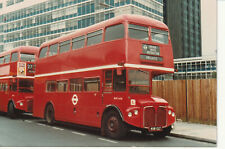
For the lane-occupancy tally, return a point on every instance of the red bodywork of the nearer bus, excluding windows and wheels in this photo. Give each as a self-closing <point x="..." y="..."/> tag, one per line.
<point x="93" y="61"/>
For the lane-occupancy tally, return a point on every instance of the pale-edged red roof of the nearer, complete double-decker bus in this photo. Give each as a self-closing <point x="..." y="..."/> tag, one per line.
<point x="144" y="20"/>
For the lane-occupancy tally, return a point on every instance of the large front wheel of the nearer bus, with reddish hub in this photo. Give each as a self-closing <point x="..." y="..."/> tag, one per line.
<point x="114" y="127"/>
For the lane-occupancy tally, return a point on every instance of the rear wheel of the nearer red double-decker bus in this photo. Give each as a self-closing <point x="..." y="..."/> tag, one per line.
<point x="50" y="114"/>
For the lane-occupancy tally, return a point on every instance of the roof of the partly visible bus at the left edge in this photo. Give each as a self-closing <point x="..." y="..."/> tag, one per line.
<point x="26" y="49"/>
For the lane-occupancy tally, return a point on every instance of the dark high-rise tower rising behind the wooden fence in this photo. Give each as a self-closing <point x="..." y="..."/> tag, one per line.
<point x="183" y="18"/>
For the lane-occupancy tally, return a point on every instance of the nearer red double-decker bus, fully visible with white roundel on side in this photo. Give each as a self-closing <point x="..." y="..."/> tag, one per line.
<point x="101" y="76"/>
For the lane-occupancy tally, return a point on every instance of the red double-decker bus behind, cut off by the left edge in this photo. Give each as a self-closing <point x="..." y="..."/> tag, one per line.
<point x="17" y="70"/>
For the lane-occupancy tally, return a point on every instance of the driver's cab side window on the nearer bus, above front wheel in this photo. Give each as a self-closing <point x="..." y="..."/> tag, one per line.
<point x="119" y="81"/>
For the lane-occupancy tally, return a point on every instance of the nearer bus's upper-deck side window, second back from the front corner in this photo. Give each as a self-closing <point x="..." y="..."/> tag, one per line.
<point x="94" y="37"/>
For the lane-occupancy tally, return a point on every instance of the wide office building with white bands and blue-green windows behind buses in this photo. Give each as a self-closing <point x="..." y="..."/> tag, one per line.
<point x="47" y="19"/>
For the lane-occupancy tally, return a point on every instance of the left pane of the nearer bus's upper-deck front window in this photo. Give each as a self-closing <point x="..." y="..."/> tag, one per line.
<point x="138" y="32"/>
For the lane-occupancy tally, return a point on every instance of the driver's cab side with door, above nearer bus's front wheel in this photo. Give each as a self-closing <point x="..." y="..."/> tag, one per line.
<point x="114" y="87"/>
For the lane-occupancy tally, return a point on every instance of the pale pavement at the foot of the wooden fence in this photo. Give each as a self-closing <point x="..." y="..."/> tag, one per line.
<point x="194" y="131"/>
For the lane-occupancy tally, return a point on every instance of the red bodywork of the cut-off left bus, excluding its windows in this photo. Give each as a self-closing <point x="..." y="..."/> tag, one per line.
<point x="13" y="73"/>
